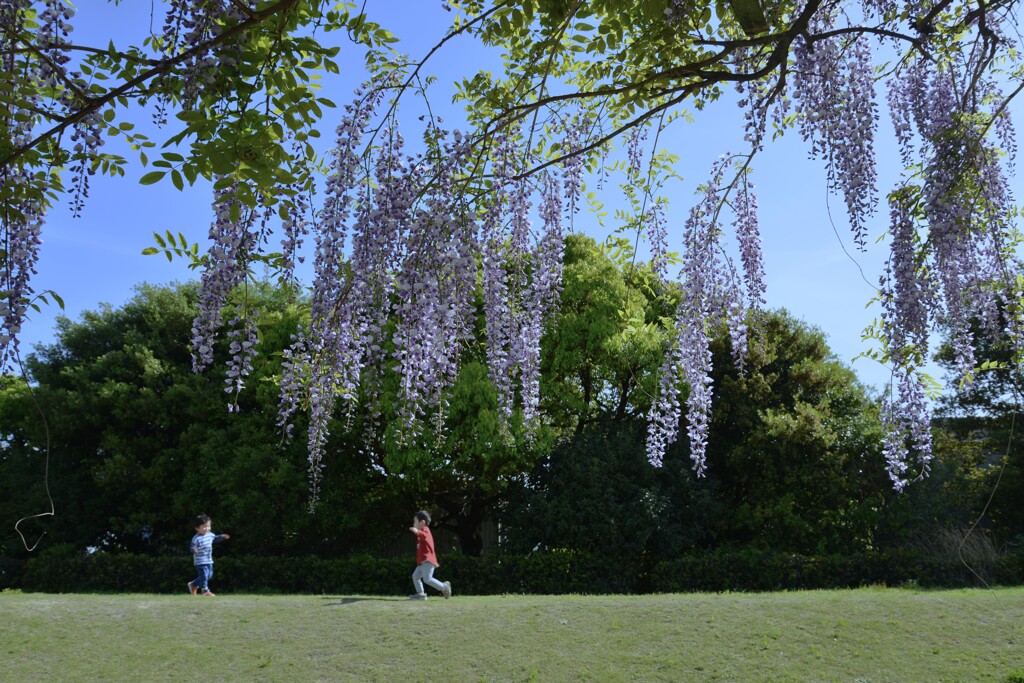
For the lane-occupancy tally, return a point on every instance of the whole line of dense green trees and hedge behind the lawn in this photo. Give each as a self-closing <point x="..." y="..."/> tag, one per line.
<point x="132" y="445"/>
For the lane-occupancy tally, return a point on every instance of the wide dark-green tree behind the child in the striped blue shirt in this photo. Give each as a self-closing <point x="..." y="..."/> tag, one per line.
<point x="139" y="444"/>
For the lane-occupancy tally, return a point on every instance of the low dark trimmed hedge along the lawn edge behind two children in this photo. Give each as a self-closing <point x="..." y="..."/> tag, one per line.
<point x="539" y="573"/>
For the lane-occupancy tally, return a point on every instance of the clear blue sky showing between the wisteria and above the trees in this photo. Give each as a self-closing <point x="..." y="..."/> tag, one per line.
<point x="813" y="269"/>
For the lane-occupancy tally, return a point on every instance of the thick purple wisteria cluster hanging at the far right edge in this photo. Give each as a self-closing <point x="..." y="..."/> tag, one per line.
<point x="951" y="227"/>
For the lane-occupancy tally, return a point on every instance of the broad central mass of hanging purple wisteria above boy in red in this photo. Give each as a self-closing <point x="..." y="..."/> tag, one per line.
<point x="398" y="248"/>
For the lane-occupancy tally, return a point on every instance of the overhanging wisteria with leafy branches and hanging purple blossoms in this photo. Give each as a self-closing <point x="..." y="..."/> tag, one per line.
<point x="578" y="75"/>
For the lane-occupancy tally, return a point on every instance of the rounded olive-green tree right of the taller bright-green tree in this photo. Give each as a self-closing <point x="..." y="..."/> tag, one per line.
<point x="798" y="445"/>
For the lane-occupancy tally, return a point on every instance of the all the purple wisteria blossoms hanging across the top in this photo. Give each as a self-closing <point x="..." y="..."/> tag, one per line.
<point x="402" y="239"/>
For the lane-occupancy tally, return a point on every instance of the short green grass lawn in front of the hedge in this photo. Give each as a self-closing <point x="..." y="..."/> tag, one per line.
<point x="865" y="635"/>
